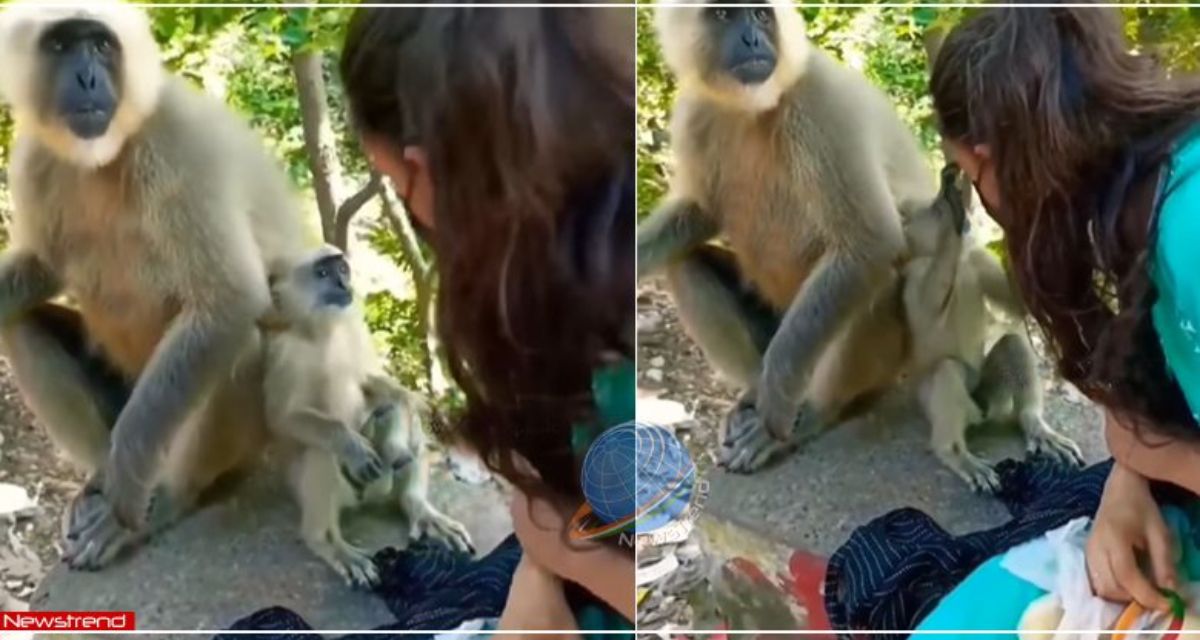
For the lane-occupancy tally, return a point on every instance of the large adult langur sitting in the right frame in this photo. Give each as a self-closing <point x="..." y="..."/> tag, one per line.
<point x="805" y="169"/>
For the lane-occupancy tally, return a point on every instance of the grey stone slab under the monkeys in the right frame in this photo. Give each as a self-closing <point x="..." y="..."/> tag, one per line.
<point x="817" y="498"/>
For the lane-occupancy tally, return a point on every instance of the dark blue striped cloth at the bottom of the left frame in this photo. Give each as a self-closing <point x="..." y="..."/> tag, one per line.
<point x="427" y="587"/>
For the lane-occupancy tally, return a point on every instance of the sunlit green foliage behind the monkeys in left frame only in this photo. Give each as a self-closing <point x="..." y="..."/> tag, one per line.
<point x="248" y="57"/>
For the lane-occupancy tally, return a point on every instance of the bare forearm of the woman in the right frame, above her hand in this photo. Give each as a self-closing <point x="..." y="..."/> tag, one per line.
<point x="1155" y="457"/>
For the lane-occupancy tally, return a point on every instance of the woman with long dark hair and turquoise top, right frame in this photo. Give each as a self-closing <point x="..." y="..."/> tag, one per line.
<point x="1088" y="155"/>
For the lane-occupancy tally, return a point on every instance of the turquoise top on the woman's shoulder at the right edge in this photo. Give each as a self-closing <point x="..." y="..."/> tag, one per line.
<point x="1177" y="270"/>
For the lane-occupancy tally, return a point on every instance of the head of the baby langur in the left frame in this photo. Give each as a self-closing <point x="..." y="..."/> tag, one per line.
<point x="315" y="290"/>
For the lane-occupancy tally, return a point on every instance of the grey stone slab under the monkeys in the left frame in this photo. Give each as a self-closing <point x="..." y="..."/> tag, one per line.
<point x="244" y="554"/>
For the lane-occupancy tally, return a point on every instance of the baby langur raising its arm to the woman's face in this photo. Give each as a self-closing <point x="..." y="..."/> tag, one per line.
<point x="946" y="284"/>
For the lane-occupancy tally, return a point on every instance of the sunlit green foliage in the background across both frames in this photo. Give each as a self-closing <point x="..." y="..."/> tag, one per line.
<point x="250" y="57"/>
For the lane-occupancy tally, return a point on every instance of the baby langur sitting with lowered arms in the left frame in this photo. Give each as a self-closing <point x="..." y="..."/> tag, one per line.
<point x="353" y="435"/>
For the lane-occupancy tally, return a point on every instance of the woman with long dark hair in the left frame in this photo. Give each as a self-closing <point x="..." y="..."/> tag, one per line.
<point x="509" y="135"/>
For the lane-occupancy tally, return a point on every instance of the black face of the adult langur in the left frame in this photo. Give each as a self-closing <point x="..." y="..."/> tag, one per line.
<point x="82" y="59"/>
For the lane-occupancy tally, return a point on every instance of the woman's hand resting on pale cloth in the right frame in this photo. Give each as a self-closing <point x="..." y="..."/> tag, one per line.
<point x="1129" y="523"/>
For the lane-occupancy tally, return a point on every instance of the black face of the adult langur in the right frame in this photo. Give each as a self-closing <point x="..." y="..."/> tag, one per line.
<point x="745" y="41"/>
